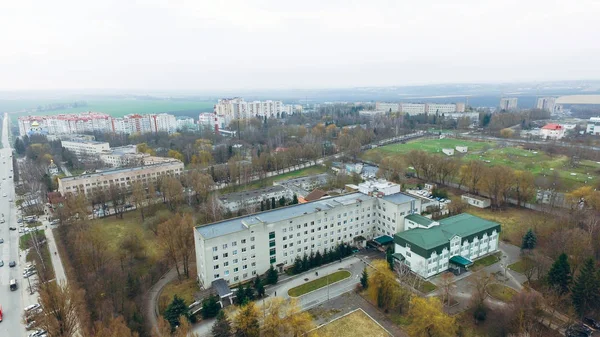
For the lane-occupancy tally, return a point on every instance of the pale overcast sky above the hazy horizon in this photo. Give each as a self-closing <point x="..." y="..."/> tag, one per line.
<point x="226" y="45"/>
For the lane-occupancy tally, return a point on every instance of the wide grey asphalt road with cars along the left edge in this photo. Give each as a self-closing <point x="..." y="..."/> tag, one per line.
<point x="11" y="301"/>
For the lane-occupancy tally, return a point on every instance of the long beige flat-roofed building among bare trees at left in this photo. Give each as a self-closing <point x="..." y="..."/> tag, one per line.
<point x="89" y="183"/>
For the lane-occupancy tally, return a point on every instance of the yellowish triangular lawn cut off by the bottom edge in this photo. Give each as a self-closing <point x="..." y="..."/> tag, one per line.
<point x="355" y="324"/>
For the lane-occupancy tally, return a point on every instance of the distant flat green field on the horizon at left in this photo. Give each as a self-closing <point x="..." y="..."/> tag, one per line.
<point x="115" y="107"/>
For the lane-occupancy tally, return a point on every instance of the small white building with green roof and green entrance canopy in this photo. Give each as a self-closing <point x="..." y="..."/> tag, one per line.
<point x="432" y="247"/>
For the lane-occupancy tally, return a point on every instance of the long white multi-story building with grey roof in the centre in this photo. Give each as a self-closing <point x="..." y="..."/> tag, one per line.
<point x="236" y="250"/>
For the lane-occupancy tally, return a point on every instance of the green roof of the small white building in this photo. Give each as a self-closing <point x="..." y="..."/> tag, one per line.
<point x="425" y="241"/>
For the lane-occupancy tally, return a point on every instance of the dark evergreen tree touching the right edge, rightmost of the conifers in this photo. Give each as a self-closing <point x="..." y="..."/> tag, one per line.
<point x="585" y="294"/>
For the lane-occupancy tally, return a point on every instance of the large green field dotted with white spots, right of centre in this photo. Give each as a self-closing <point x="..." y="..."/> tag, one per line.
<point x="536" y="162"/>
